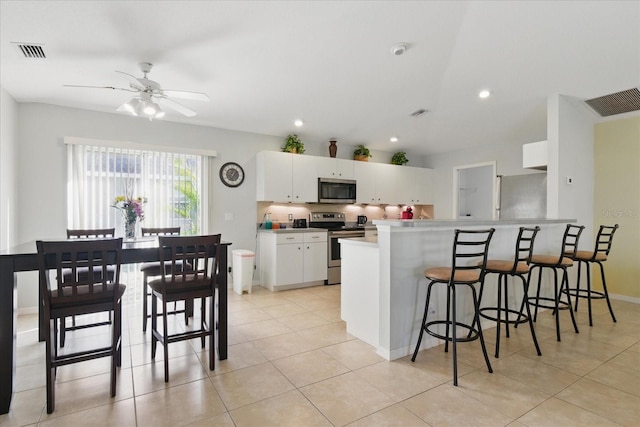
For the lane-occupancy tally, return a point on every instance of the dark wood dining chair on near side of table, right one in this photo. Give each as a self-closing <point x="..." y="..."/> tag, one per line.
<point x="182" y="285"/>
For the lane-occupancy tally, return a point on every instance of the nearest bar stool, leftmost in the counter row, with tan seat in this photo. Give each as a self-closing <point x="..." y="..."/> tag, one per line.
<point x="467" y="246"/>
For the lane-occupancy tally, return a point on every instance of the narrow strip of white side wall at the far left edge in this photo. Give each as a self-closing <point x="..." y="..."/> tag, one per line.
<point x="8" y="144"/>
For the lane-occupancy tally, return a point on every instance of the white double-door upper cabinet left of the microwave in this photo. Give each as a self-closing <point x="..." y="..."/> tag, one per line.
<point x="285" y="177"/>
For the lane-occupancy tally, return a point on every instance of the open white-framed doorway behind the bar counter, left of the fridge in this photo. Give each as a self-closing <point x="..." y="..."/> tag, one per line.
<point x="474" y="191"/>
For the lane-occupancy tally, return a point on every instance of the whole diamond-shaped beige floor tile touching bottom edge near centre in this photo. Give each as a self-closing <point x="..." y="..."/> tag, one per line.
<point x="346" y="398"/>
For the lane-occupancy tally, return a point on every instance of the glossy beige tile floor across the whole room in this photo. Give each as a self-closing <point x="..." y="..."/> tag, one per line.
<point x="291" y="362"/>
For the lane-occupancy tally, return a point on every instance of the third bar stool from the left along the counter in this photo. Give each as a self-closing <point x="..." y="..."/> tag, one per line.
<point x="562" y="262"/>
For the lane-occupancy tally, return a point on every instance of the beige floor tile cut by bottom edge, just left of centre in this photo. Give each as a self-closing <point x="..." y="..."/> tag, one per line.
<point x="288" y="409"/>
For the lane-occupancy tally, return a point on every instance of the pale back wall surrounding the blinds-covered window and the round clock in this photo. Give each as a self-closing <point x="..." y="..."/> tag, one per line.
<point x="41" y="170"/>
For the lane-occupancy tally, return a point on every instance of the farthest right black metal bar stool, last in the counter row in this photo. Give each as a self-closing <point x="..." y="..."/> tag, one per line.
<point x="597" y="256"/>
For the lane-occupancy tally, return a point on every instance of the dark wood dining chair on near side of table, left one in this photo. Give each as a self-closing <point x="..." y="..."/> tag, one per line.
<point x="80" y="295"/>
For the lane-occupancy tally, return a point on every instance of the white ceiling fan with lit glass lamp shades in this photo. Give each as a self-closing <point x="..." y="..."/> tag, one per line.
<point x="150" y="95"/>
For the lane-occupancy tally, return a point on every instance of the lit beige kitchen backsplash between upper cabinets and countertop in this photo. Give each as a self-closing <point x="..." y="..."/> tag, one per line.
<point x="280" y="211"/>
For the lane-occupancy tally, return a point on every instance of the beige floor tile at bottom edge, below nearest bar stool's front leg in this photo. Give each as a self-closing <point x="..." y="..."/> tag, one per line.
<point x="447" y="405"/>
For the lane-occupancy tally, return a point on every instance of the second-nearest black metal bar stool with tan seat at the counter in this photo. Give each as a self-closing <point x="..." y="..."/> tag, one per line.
<point x="518" y="267"/>
